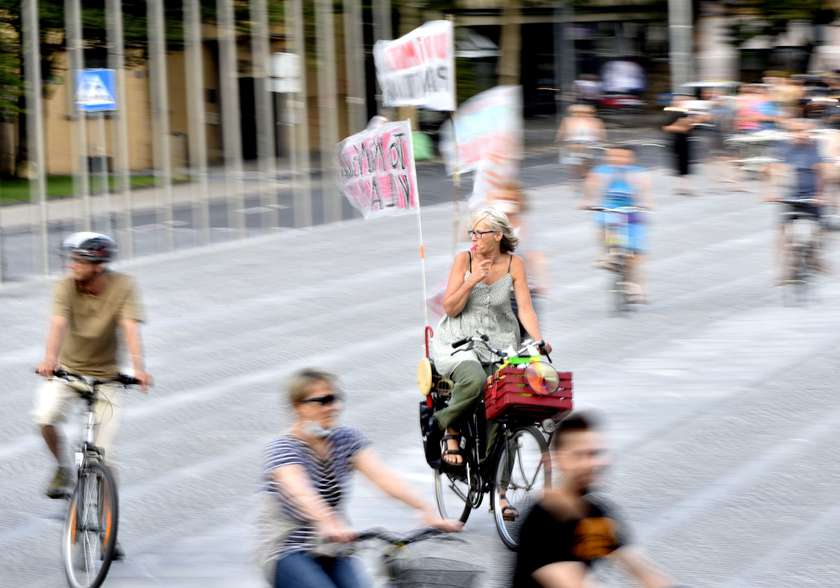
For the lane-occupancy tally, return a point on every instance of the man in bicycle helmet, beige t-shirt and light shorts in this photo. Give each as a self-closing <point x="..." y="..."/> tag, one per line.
<point x="90" y="305"/>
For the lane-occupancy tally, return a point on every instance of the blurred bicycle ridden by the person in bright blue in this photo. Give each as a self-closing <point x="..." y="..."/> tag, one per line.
<point x="619" y="255"/>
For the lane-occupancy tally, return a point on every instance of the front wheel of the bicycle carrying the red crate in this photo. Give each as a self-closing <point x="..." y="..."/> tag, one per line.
<point x="523" y="472"/>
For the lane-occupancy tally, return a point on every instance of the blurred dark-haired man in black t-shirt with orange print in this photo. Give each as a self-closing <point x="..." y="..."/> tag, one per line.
<point x="569" y="530"/>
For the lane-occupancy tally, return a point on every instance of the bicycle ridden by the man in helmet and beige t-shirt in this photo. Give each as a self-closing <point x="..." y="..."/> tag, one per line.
<point x="90" y="528"/>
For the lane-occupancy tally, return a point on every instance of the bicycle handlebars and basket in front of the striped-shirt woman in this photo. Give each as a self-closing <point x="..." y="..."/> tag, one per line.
<point x="397" y="568"/>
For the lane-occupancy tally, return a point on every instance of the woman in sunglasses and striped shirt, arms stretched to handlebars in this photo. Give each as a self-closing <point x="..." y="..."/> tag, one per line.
<point x="306" y="478"/>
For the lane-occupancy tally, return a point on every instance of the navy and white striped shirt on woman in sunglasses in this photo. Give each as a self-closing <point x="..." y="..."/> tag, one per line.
<point x="330" y="477"/>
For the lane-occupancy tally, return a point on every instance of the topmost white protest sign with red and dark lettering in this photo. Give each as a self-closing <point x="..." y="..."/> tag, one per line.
<point x="418" y="69"/>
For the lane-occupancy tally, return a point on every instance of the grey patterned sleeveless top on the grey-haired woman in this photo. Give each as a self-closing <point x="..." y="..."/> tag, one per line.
<point x="488" y="310"/>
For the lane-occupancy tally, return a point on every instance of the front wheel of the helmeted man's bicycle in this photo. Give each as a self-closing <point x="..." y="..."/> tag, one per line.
<point x="90" y="530"/>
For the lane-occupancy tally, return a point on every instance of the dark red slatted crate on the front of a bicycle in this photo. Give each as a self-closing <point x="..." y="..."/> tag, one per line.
<point x="508" y="394"/>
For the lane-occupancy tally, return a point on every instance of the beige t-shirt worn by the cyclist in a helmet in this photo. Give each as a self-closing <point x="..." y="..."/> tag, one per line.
<point x="90" y="344"/>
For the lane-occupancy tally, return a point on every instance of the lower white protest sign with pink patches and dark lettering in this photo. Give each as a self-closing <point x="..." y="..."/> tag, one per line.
<point x="376" y="169"/>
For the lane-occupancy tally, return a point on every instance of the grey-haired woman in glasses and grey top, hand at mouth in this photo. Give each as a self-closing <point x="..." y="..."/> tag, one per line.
<point x="478" y="299"/>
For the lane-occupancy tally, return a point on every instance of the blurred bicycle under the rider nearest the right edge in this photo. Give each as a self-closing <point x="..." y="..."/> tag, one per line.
<point x="802" y="229"/>
